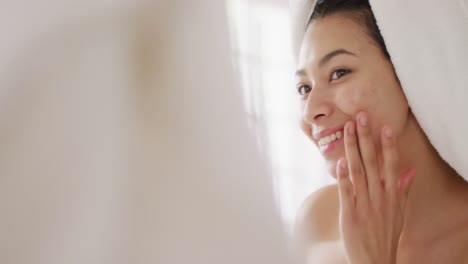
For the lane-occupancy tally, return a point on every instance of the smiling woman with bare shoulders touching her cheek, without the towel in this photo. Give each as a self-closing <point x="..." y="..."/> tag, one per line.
<point x="396" y="200"/>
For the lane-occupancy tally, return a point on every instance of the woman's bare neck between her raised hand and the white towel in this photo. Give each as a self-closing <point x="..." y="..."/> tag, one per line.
<point x="437" y="190"/>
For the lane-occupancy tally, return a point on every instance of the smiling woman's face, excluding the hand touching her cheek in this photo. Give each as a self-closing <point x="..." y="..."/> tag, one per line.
<point x="341" y="72"/>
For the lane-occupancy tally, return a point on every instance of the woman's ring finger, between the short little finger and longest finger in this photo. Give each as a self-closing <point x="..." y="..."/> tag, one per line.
<point x="356" y="168"/>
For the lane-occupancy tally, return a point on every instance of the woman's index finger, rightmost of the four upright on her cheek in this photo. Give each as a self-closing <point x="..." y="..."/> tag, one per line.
<point x="391" y="162"/>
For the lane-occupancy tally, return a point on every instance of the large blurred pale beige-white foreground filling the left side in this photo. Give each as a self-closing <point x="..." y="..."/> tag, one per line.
<point x="111" y="151"/>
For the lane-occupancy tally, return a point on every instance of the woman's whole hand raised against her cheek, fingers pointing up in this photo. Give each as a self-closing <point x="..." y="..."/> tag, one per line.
<point x="371" y="207"/>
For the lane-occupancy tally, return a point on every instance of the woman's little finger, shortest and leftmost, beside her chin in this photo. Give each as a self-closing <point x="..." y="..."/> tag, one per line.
<point x="345" y="187"/>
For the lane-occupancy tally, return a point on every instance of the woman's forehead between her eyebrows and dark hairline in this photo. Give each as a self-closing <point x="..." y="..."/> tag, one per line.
<point x="331" y="33"/>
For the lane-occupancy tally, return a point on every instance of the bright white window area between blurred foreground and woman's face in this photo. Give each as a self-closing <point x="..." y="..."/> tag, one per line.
<point x="261" y="41"/>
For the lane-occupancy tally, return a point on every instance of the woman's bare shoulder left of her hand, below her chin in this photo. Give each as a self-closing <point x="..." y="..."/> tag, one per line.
<point x="317" y="219"/>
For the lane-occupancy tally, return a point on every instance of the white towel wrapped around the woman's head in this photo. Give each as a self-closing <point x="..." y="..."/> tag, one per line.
<point x="428" y="43"/>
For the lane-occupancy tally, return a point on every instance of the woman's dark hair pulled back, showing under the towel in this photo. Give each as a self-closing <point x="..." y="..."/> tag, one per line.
<point x="358" y="10"/>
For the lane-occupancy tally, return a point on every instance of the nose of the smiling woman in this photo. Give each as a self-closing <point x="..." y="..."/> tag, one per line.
<point x="318" y="106"/>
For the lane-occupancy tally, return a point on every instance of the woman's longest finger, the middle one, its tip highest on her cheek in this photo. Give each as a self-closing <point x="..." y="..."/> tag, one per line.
<point x="369" y="157"/>
